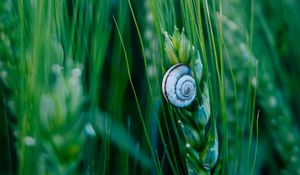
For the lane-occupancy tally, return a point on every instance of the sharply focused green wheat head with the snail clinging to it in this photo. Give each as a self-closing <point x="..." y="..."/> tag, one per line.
<point x="200" y="138"/>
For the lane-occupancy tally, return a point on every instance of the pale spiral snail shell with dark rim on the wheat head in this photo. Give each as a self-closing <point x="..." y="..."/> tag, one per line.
<point x="179" y="87"/>
